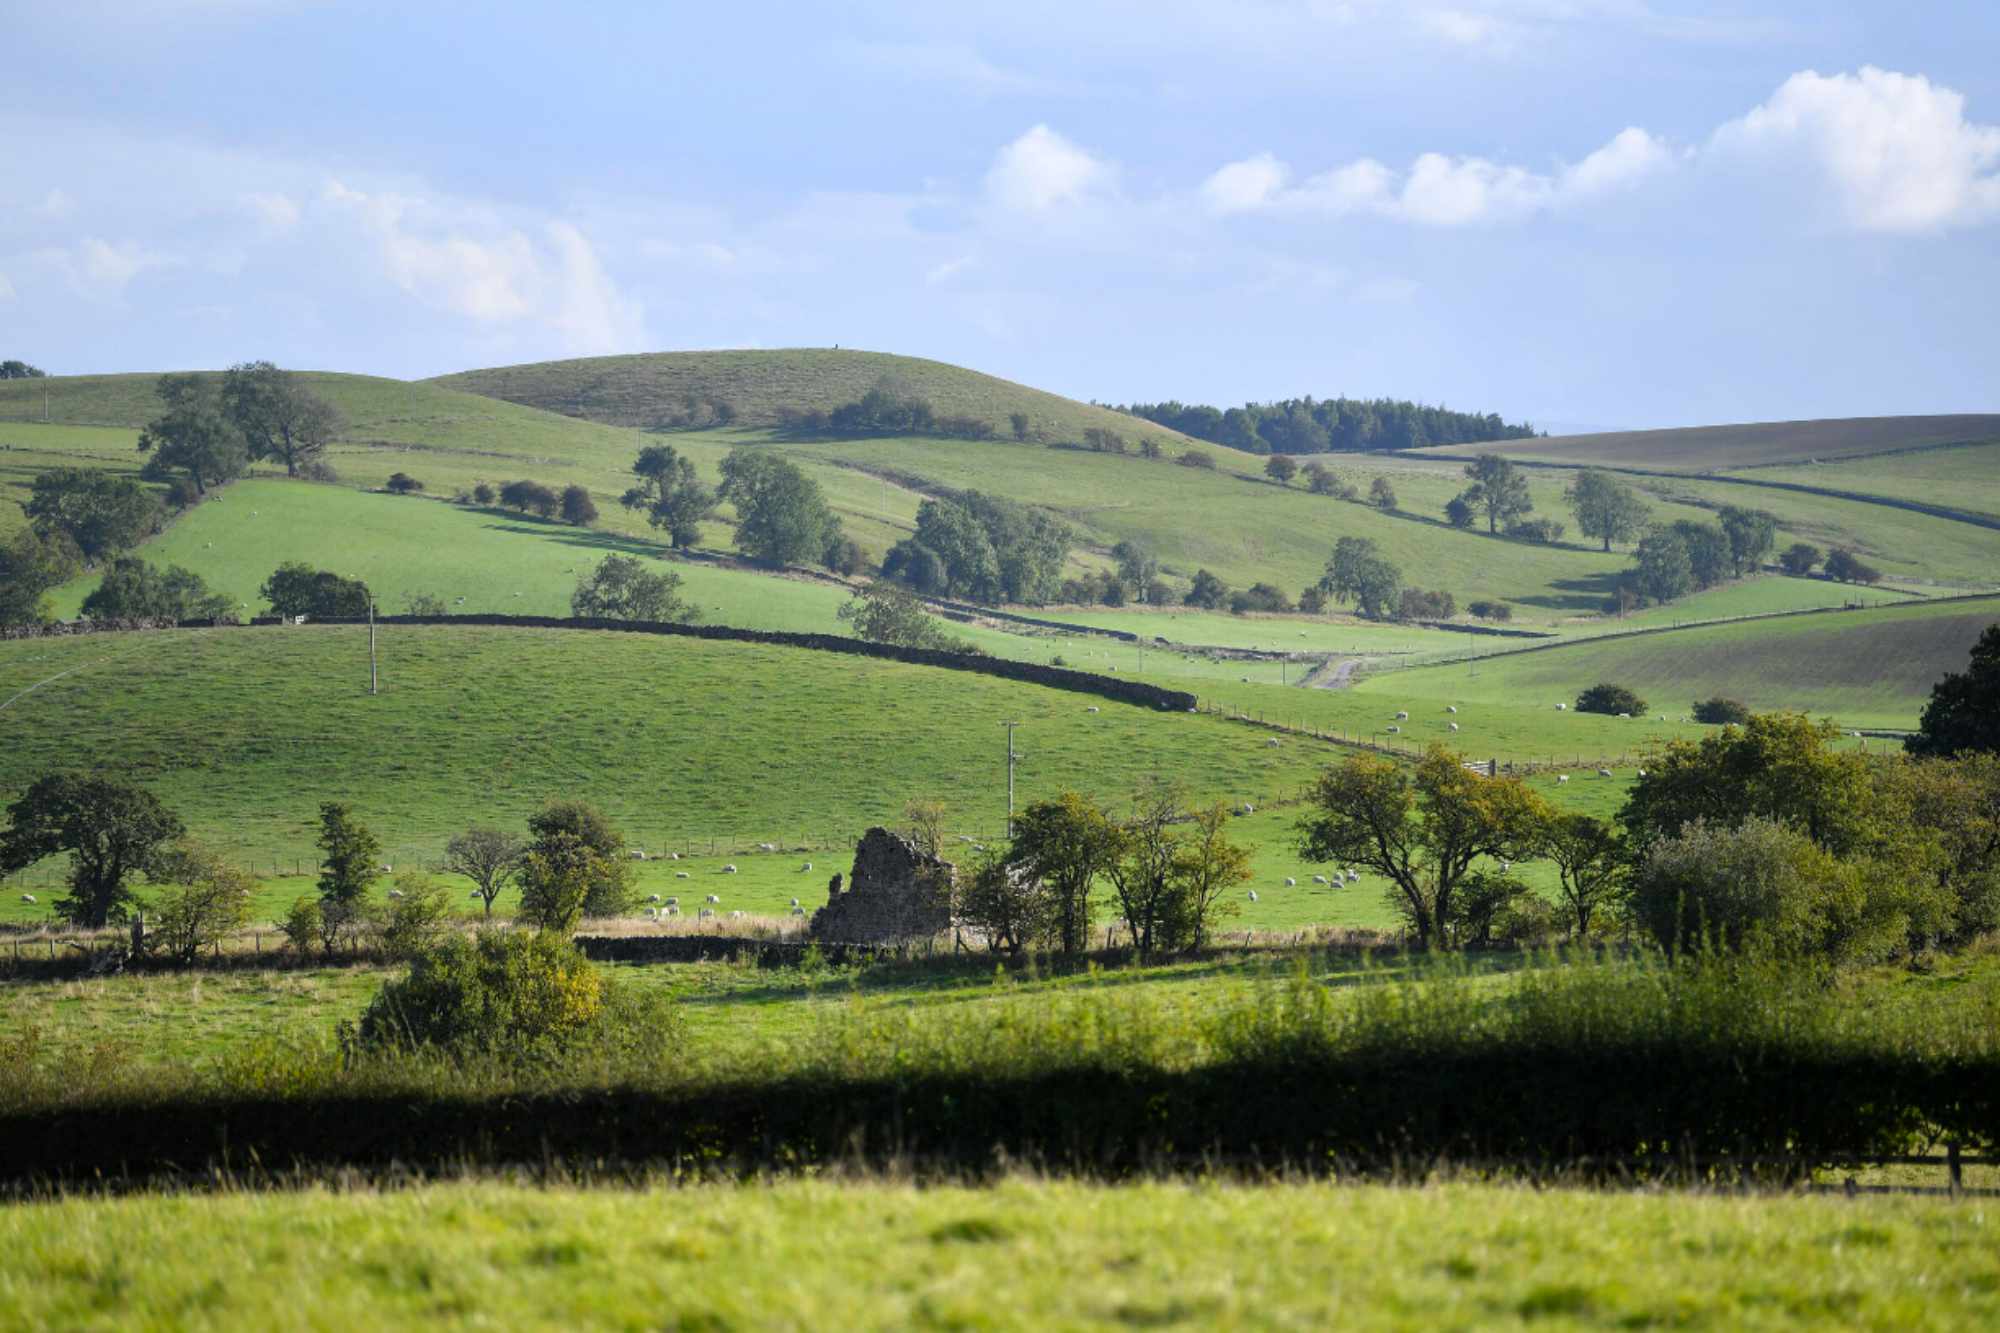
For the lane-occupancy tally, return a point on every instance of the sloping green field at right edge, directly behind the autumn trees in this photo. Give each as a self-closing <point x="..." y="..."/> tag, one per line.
<point x="1861" y="668"/>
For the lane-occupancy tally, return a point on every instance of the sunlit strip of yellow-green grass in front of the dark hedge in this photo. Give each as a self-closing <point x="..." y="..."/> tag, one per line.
<point x="1019" y="1256"/>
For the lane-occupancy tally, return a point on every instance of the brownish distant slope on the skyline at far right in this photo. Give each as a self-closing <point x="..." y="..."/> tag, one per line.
<point x="1717" y="449"/>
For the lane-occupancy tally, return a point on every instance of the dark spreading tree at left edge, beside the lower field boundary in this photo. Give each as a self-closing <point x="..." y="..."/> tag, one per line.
<point x="111" y="832"/>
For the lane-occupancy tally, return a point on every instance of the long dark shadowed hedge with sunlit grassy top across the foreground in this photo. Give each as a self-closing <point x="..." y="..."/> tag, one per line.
<point x="1629" y="1066"/>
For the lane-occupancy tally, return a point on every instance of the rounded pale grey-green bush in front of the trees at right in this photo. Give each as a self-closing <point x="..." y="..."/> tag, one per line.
<point x="1763" y="886"/>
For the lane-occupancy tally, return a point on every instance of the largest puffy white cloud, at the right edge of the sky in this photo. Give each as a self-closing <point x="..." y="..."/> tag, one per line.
<point x="1895" y="151"/>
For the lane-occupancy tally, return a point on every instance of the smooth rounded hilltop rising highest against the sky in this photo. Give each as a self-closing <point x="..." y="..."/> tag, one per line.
<point x="651" y="389"/>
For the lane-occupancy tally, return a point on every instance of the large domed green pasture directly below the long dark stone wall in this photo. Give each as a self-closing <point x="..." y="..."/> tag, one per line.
<point x="247" y="732"/>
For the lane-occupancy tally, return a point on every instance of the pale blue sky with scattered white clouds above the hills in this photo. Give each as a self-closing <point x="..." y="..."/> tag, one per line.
<point x="1587" y="213"/>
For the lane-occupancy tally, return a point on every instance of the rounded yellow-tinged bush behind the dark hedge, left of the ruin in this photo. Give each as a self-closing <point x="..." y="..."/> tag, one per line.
<point x="519" y="996"/>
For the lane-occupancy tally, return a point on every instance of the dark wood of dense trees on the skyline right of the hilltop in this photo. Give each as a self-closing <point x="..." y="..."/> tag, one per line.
<point x="1329" y="425"/>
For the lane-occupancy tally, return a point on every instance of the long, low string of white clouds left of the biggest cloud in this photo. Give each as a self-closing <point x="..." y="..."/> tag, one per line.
<point x="1437" y="189"/>
